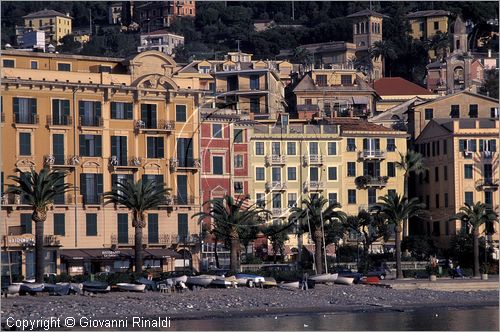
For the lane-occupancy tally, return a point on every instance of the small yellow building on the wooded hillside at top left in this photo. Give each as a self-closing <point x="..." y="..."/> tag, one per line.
<point x="55" y="25"/>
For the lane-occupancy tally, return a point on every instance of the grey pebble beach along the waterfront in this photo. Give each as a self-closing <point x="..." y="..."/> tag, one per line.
<point x="239" y="302"/>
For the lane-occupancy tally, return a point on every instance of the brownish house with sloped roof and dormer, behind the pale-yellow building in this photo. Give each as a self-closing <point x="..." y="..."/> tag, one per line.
<point x="335" y="93"/>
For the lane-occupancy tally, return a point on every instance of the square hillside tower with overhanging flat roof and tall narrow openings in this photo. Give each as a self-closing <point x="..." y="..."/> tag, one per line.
<point x="367" y="29"/>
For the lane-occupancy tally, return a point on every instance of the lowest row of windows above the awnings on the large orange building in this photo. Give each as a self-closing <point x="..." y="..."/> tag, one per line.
<point x="91" y="225"/>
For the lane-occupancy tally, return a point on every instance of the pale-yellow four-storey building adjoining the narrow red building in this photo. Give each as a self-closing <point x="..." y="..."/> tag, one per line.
<point x="345" y="160"/>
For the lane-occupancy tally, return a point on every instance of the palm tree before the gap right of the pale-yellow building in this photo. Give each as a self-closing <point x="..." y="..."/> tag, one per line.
<point x="395" y="209"/>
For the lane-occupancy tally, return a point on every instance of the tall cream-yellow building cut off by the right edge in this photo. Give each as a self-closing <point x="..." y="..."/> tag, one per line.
<point x="462" y="160"/>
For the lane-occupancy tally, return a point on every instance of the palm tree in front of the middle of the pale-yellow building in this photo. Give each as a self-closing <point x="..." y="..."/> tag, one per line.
<point x="316" y="216"/>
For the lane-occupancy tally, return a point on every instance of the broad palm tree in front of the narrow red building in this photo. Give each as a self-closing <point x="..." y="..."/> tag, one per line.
<point x="229" y="215"/>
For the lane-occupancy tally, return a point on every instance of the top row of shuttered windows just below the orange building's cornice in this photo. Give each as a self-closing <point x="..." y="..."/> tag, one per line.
<point x="90" y="111"/>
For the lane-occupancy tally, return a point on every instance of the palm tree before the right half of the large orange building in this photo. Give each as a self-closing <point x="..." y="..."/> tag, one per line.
<point x="138" y="197"/>
